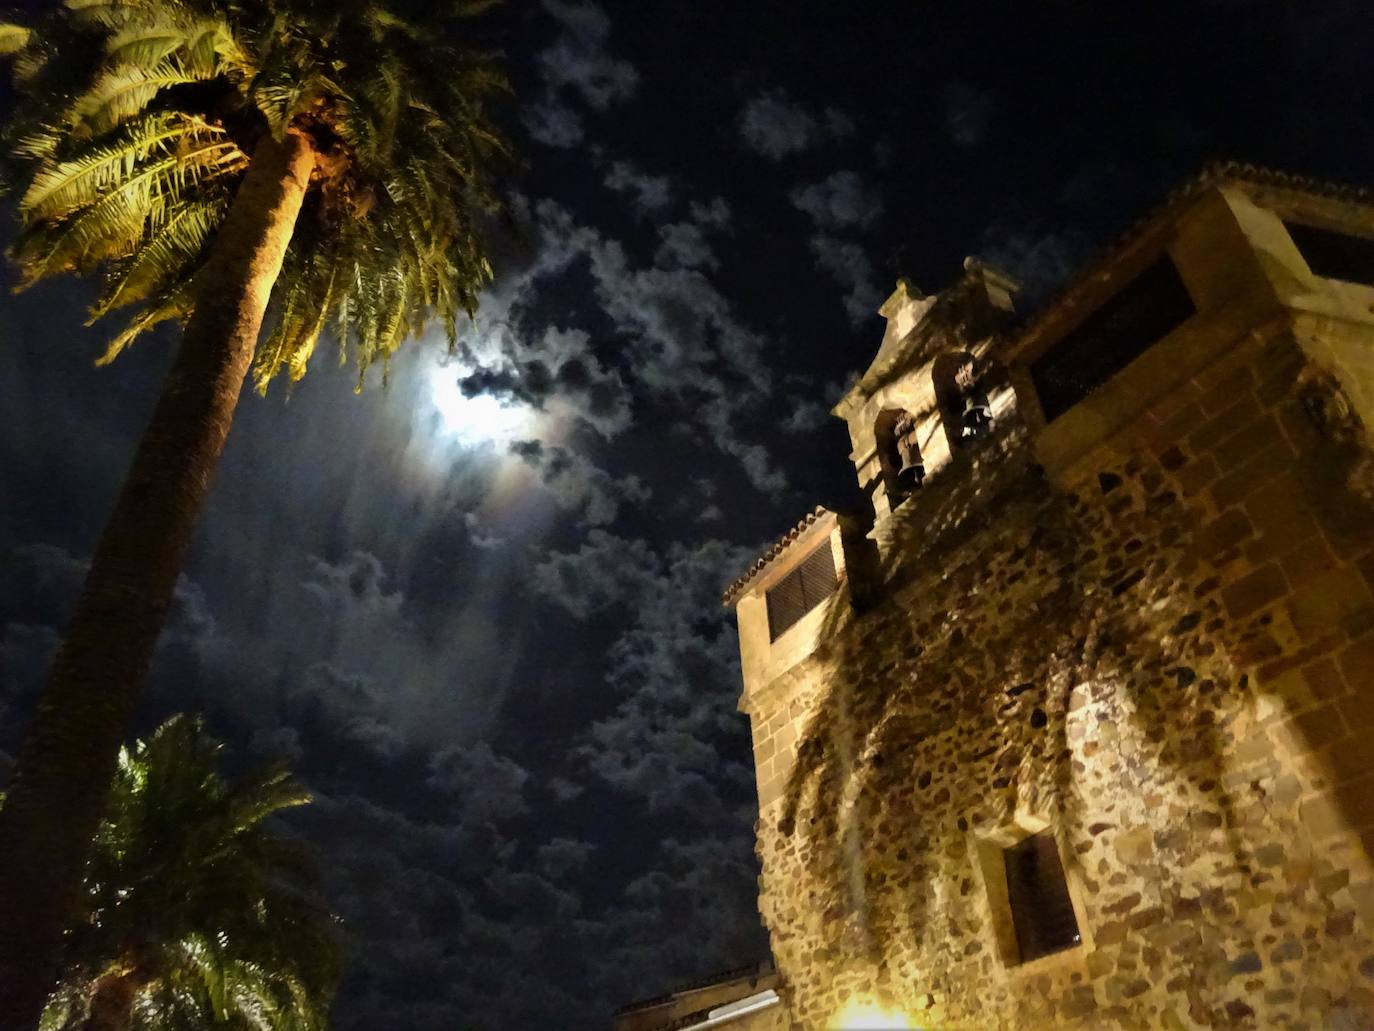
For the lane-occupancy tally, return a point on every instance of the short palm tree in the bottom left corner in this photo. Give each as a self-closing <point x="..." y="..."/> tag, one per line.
<point x="194" y="915"/>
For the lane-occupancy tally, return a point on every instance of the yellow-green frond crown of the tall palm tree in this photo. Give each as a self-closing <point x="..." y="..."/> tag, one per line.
<point x="138" y="120"/>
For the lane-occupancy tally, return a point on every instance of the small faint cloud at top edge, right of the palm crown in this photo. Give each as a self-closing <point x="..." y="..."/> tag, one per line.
<point x="576" y="67"/>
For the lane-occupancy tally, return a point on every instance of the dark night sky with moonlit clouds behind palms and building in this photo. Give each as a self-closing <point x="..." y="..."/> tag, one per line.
<point x="479" y="608"/>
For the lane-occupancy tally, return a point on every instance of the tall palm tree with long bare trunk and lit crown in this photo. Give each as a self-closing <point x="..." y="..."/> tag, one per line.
<point x="251" y="168"/>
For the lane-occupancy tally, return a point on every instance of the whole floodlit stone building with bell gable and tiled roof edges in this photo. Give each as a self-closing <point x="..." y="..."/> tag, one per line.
<point x="1077" y="729"/>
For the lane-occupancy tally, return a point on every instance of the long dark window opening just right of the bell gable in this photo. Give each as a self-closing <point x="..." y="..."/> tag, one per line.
<point x="1141" y="314"/>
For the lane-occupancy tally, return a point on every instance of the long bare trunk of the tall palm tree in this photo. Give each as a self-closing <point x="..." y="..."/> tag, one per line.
<point x="65" y="765"/>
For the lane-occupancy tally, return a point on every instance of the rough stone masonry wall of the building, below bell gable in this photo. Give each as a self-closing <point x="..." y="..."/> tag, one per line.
<point x="1162" y="650"/>
